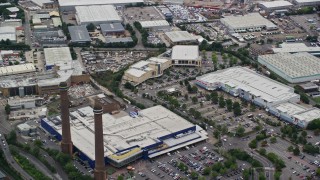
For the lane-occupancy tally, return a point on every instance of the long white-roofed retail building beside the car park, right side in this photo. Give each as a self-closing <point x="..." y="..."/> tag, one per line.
<point x="276" y="98"/>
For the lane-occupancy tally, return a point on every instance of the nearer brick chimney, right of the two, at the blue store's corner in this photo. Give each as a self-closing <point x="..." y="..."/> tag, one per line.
<point x="99" y="171"/>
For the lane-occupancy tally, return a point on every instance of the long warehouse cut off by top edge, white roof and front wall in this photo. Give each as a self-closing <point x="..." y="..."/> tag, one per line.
<point x="69" y="5"/>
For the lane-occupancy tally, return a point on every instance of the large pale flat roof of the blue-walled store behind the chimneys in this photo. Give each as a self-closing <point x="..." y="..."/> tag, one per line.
<point x="124" y="132"/>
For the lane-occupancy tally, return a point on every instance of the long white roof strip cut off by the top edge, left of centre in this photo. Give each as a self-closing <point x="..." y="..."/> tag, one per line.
<point x="95" y="2"/>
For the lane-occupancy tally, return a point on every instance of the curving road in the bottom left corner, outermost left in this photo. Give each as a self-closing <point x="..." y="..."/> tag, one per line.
<point x="11" y="161"/>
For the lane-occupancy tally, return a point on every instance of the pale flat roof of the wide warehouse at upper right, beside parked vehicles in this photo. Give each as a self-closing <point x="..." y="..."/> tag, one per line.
<point x="247" y="20"/>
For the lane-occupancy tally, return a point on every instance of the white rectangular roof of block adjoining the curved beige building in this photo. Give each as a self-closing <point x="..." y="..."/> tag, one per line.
<point x="185" y="52"/>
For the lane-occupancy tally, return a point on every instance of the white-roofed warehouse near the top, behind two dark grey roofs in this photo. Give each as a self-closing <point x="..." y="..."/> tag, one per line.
<point x="97" y="15"/>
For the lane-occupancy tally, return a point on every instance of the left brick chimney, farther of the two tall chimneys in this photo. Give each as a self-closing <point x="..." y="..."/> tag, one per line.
<point x="66" y="143"/>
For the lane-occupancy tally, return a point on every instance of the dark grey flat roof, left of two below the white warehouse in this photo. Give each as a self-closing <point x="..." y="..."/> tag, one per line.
<point x="79" y="34"/>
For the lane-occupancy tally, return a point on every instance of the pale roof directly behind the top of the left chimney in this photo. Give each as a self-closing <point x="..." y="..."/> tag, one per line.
<point x="60" y="56"/>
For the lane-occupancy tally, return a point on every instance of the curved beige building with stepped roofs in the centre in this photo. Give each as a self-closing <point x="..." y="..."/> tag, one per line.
<point x="143" y="70"/>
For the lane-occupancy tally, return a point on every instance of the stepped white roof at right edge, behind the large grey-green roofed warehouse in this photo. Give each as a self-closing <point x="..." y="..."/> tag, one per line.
<point x="295" y="47"/>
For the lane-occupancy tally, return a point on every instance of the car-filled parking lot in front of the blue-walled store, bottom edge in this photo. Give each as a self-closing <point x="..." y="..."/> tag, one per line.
<point x="186" y="162"/>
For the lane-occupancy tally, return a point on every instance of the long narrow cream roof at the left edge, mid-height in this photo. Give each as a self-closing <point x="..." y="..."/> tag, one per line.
<point x="17" y="69"/>
